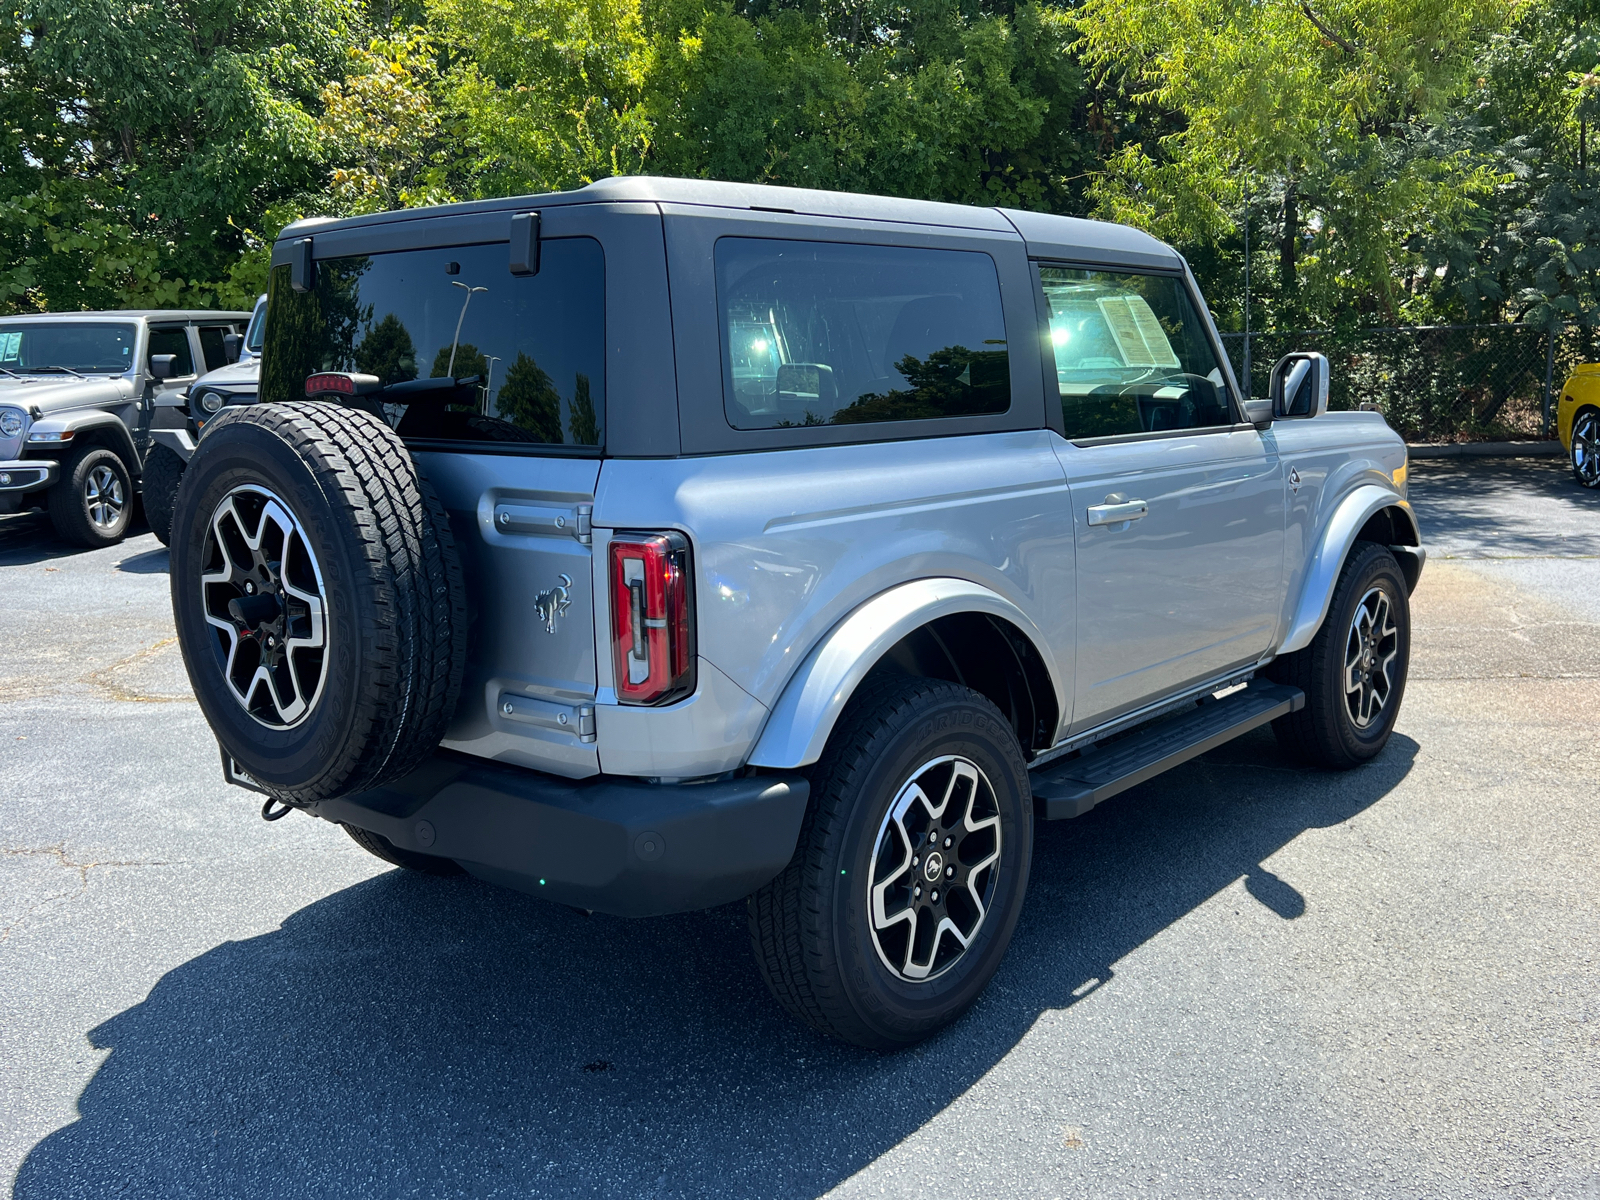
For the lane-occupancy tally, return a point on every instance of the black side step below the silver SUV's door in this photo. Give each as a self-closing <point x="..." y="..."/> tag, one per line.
<point x="1073" y="788"/>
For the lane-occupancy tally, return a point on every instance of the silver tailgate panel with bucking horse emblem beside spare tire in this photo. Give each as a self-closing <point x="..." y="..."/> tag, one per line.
<point x="522" y="527"/>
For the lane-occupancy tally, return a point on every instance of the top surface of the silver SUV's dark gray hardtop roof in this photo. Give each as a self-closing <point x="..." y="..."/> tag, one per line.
<point x="1047" y="236"/>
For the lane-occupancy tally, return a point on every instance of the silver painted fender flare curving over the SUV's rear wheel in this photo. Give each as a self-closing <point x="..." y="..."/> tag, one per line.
<point x="809" y="708"/>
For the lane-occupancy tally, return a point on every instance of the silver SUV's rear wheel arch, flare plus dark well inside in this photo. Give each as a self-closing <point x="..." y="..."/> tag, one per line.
<point x="950" y="630"/>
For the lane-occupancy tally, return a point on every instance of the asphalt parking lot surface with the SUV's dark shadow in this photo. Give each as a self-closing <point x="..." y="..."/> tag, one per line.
<point x="1242" y="978"/>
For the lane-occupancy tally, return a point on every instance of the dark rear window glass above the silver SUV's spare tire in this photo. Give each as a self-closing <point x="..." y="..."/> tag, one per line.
<point x="463" y="350"/>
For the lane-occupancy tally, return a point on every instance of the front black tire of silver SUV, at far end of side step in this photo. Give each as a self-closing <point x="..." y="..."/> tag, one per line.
<point x="1329" y="732"/>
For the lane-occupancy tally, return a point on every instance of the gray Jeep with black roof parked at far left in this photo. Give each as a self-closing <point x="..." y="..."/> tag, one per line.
<point x="84" y="399"/>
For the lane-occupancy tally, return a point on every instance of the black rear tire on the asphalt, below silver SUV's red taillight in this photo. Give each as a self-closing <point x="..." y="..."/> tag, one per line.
<point x="812" y="927"/>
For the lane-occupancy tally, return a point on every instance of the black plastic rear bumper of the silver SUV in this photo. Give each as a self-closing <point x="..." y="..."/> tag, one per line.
<point x="607" y="844"/>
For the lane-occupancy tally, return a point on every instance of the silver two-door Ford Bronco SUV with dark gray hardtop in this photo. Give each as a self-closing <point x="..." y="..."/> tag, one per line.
<point x="663" y="545"/>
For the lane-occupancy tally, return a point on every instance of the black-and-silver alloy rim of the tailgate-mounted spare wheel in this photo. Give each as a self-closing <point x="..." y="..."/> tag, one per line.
<point x="263" y="594"/>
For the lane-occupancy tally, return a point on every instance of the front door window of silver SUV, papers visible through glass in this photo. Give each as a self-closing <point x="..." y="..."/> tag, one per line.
<point x="1132" y="354"/>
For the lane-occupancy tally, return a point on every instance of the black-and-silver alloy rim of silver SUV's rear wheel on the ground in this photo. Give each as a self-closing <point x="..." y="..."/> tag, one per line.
<point x="935" y="866"/>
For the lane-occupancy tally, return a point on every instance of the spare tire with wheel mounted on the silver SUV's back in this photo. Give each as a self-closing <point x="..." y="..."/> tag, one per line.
<point x="342" y="492"/>
